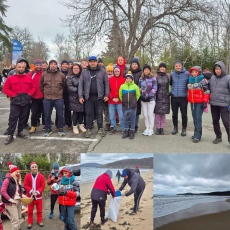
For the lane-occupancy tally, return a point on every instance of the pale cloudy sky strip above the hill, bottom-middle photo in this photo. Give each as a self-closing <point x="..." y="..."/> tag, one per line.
<point x="111" y="157"/>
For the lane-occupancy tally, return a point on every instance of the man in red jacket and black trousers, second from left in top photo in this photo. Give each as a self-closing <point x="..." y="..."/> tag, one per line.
<point x="37" y="98"/>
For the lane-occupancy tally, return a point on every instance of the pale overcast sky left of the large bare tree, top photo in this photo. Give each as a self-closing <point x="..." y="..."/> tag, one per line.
<point x="42" y="18"/>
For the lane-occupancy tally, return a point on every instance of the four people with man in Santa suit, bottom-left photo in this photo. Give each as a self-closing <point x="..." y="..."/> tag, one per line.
<point x="34" y="183"/>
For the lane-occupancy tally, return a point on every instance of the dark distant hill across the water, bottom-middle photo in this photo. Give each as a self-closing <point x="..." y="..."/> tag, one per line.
<point x="143" y="163"/>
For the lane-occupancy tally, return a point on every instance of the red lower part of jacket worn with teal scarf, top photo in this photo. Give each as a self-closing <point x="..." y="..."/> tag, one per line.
<point x="197" y="96"/>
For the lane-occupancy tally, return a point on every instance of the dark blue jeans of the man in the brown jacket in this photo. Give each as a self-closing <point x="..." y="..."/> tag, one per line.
<point x="48" y="107"/>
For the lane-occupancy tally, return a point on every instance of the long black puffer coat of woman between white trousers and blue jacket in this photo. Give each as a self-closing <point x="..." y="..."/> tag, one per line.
<point x="162" y="95"/>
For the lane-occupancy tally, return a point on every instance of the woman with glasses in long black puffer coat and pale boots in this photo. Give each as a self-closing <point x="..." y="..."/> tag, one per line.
<point x="72" y="83"/>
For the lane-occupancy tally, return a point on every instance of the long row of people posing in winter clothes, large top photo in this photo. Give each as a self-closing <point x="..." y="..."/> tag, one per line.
<point x="82" y="93"/>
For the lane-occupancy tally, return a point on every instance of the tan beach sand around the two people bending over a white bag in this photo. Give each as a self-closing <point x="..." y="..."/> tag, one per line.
<point x="142" y="220"/>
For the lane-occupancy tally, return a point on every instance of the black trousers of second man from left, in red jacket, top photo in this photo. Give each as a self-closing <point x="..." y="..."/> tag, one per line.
<point x="37" y="110"/>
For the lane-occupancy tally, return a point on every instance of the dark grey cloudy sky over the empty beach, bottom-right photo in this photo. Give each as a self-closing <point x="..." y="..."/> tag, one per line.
<point x="197" y="173"/>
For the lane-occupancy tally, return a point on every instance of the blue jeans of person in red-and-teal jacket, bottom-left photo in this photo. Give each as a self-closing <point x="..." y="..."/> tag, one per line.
<point x="68" y="215"/>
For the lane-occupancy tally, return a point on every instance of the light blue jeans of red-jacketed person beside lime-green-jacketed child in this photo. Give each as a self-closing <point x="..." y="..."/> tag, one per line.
<point x="112" y="112"/>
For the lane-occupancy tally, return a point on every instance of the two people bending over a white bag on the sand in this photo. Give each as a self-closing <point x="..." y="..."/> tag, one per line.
<point x="104" y="186"/>
